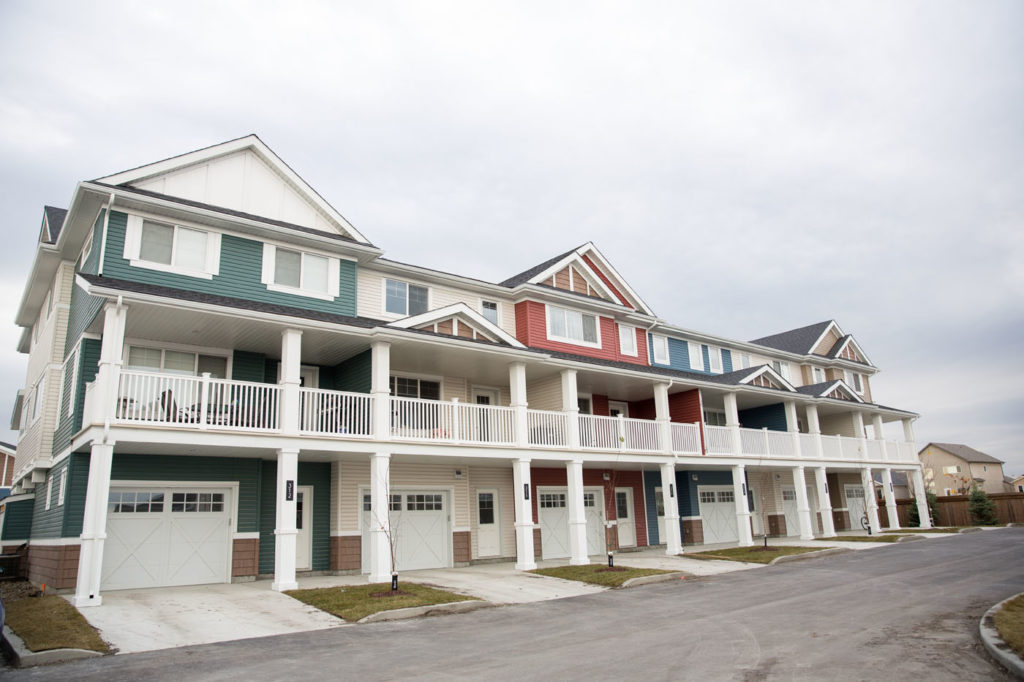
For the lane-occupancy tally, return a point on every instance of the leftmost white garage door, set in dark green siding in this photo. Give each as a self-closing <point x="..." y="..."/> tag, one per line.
<point x="161" y="537"/>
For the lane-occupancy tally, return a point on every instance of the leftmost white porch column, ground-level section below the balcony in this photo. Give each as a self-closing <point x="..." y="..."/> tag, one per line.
<point x="91" y="560"/>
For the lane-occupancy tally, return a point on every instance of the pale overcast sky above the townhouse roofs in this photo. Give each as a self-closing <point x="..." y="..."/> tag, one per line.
<point x="748" y="168"/>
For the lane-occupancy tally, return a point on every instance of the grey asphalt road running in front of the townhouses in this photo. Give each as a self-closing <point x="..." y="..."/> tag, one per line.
<point x="906" y="612"/>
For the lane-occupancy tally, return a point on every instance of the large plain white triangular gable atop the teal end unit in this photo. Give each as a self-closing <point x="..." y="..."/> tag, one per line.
<point x="241" y="176"/>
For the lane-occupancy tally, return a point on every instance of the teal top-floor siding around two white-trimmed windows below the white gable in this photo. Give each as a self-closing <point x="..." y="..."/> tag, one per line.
<point x="241" y="271"/>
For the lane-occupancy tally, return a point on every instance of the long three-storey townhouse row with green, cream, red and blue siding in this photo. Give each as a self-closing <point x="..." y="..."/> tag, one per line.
<point x="228" y="380"/>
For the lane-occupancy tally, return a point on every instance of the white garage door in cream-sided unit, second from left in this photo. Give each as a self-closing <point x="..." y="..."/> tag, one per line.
<point x="420" y="527"/>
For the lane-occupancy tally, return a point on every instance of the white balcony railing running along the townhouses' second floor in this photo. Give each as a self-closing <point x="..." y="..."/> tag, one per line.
<point x="207" y="404"/>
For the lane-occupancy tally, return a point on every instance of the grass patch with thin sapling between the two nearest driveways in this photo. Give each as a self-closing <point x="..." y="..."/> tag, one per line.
<point x="358" y="602"/>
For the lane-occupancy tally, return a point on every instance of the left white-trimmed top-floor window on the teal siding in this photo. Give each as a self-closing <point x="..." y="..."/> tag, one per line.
<point x="164" y="246"/>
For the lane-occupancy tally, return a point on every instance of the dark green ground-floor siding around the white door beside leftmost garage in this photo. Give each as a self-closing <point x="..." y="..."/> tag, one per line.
<point x="311" y="474"/>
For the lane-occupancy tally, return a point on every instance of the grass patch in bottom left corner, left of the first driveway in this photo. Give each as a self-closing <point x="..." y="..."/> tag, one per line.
<point x="51" y="623"/>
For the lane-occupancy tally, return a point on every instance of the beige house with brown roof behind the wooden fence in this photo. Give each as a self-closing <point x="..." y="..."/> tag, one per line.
<point x="954" y="470"/>
